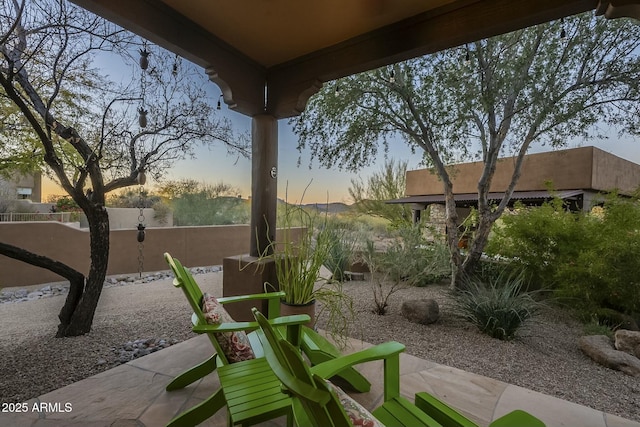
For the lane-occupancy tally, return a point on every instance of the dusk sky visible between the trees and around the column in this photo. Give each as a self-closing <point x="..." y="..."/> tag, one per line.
<point x="213" y="165"/>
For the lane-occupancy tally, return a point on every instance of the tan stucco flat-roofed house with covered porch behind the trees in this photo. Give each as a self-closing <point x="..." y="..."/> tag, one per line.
<point x="579" y="176"/>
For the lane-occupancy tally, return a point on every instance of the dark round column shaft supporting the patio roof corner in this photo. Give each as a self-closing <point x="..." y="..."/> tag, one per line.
<point x="264" y="183"/>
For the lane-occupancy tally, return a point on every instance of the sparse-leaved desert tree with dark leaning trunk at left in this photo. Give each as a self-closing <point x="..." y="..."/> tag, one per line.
<point x="96" y="133"/>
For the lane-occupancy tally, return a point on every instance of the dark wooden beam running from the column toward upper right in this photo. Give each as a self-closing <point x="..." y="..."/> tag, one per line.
<point x="292" y="83"/>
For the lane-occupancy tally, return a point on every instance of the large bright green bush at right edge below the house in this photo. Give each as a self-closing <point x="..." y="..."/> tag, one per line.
<point x="589" y="260"/>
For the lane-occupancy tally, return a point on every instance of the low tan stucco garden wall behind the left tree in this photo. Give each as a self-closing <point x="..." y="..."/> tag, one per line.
<point x="194" y="246"/>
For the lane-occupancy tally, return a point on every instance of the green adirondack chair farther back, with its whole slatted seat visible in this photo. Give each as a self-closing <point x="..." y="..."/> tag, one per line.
<point x="249" y="388"/>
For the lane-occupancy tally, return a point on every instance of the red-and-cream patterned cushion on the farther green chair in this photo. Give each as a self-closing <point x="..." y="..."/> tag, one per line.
<point x="235" y="345"/>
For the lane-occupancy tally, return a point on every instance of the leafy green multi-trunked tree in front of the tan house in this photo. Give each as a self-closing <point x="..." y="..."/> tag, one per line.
<point x="544" y="85"/>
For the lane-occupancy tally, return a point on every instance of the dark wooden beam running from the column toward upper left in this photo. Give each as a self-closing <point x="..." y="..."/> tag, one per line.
<point x="241" y="79"/>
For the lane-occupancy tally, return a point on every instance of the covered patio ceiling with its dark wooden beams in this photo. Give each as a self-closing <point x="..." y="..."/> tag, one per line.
<point x="270" y="56"/>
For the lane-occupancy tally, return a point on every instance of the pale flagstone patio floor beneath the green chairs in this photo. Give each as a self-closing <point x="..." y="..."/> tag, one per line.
<point x="133" y="394"/>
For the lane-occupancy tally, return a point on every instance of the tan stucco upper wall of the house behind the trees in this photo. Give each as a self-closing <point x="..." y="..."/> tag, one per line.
<point x="579" y="168"/>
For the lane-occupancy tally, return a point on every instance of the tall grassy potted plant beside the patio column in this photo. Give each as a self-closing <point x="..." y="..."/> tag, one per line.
<point x="298" y="263"/>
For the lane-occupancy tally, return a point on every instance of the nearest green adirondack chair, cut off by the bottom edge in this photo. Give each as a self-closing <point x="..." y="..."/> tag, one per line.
<point x="318" y="403"/>
